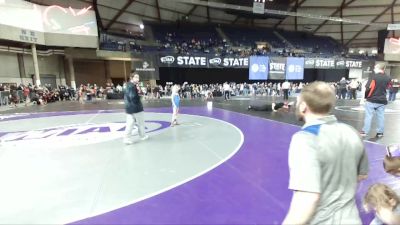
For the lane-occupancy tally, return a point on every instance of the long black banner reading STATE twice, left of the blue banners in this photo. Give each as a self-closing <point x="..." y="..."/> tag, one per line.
<point x="202" y="61"/>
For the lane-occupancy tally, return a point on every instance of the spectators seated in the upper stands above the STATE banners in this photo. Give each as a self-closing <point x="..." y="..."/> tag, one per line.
<point x="170" y="41"/>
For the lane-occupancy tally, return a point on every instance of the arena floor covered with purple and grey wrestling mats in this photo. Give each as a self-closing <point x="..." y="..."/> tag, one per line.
<point x="65" y="163"/>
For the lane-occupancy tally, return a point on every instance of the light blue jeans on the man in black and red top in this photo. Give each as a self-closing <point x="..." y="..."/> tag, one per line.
<point x="370" y="108"/>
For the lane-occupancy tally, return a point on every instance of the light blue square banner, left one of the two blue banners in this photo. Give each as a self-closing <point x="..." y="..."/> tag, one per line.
<point x="258" y="69"/>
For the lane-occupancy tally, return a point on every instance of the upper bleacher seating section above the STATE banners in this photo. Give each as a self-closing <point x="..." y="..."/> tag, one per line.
<point x="189" y="38"/>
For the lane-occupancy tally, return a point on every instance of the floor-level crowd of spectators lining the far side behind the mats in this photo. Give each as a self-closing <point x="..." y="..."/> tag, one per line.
<point x="12" y="94"/>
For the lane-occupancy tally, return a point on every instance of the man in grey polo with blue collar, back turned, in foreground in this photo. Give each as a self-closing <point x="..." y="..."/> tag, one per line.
<point x="326" y="160"/>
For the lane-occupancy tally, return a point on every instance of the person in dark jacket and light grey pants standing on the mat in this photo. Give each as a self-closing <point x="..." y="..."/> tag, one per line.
<point x="133" y="109"/>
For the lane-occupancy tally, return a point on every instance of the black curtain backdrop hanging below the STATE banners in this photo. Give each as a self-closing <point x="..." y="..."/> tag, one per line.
<point x="217" y="75"/>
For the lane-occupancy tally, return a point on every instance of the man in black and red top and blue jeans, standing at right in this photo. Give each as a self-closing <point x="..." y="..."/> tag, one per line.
<point x="375" y="96"/>
